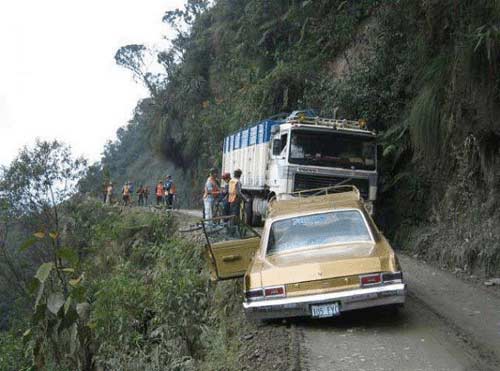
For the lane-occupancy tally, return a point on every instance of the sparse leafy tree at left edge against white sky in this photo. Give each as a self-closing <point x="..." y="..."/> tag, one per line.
<point x="31" y="190"/>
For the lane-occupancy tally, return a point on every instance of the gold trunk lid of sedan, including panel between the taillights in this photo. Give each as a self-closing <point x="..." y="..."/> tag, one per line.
<point x="323" y="269"/>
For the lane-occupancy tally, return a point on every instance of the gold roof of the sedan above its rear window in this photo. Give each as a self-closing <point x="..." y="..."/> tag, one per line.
<point x="306" y="204"/>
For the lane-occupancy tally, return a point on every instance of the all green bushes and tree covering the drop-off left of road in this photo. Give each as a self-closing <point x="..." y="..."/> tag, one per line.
<point x="103" y="286"/>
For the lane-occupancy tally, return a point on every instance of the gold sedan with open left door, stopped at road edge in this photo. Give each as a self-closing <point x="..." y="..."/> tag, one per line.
<point x="318" y="256"/>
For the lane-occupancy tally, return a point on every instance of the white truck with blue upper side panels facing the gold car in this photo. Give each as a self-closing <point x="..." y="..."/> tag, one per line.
<point x="301" y="152"/>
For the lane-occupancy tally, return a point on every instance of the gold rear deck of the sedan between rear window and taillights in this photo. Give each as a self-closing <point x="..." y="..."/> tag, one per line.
<point x="323" y="263"/>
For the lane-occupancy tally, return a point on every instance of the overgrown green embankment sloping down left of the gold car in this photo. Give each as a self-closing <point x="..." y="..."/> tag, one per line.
<point x="149" y="303"/>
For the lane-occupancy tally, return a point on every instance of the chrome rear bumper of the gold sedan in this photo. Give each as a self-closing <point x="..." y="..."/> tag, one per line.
<point x="300" y="306"/>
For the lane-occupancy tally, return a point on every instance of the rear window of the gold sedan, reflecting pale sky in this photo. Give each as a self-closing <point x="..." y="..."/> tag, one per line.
<point x="313" y="231"/>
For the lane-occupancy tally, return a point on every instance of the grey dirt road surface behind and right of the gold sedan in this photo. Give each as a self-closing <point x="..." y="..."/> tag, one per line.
<point x="446" y="325"/>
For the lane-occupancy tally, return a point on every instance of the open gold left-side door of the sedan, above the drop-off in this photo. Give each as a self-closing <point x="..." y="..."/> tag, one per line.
<point x="230" y="248"/>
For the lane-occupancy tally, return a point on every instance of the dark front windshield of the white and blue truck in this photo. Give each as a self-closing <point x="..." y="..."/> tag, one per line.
<point x="321" y="148"/>
